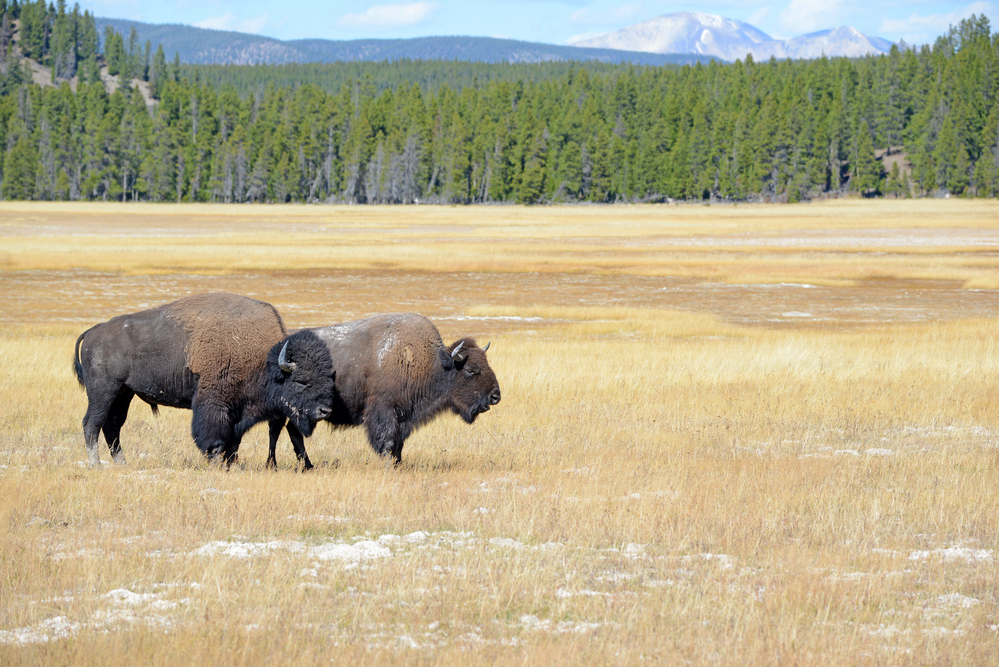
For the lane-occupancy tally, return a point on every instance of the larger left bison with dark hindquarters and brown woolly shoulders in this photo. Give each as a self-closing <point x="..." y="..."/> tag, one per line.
<point x="226" y="357"/>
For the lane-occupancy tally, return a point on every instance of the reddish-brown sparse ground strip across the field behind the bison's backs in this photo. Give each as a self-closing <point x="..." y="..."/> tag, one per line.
<point x="316" y="298"/>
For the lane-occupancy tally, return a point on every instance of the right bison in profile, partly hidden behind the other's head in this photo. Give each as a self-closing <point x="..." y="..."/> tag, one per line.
<point x="394" y="374"/>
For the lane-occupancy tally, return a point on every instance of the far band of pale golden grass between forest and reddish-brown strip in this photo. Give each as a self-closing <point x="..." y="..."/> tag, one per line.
<point x="817" y="242"/>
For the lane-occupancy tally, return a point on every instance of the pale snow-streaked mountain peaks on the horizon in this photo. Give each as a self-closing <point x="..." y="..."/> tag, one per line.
<point x="728" y="39"/>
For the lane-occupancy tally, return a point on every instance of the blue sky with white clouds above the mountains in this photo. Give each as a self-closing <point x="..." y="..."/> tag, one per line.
<point x="553" y="21"/>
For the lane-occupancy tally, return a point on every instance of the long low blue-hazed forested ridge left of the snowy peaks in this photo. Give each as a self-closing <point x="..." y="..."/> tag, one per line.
<point x="204" y="46"/>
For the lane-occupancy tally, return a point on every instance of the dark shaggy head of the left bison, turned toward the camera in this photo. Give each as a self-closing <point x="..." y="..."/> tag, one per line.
<point x="301" y="380"/>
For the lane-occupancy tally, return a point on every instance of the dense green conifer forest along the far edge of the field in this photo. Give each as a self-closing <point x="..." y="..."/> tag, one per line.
<point x="777" y="131"/>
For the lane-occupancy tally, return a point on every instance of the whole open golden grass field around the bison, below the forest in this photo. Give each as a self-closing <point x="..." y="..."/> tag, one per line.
<point x="728" y="435"/>
